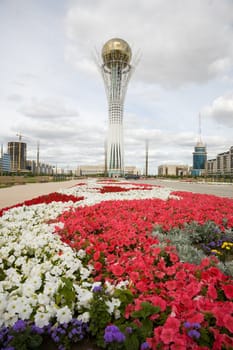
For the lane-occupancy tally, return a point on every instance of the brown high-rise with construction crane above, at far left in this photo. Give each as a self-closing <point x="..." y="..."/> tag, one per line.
<point x="18" y="153"/>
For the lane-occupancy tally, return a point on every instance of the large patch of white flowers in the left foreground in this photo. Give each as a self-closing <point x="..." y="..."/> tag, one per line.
<point x="34" y="263"/>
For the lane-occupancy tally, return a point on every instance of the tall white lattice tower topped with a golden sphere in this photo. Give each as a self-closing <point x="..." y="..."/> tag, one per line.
<point x="116" y="71"/>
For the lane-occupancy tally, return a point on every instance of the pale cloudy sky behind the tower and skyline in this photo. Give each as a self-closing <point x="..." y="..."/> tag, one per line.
<point x="51" y="89"/>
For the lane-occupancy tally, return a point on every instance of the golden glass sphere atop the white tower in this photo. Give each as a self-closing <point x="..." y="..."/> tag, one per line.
<point x="116" y="50"/>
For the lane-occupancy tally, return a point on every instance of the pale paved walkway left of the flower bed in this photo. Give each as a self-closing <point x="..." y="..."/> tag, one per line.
<point x="19" y="193"/>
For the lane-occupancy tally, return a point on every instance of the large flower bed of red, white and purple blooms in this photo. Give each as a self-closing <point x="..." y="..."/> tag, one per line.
<point x="104" y="268"/>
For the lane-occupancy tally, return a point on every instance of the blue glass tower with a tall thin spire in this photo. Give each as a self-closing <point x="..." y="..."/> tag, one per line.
<point x="199" y="155"/>
